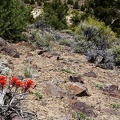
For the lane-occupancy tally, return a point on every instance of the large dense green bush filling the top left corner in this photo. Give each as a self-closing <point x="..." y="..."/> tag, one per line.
<point x="14" y="18"/>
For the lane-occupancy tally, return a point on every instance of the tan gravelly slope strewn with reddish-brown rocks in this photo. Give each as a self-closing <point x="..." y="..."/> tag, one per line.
<point x="71" y="88"/>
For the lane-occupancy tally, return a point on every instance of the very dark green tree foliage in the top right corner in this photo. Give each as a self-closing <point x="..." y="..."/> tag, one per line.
<point x="102" y="8"/>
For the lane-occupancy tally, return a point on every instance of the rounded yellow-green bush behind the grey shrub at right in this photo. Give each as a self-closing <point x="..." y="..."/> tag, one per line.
<point x="93" y="30"/>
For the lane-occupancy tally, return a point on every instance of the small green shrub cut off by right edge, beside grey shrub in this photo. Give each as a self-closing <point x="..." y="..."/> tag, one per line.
<point x="116" y="52"/>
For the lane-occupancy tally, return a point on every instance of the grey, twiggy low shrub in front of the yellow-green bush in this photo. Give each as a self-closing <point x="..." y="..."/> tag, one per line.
<point x="95" y="53"/>
